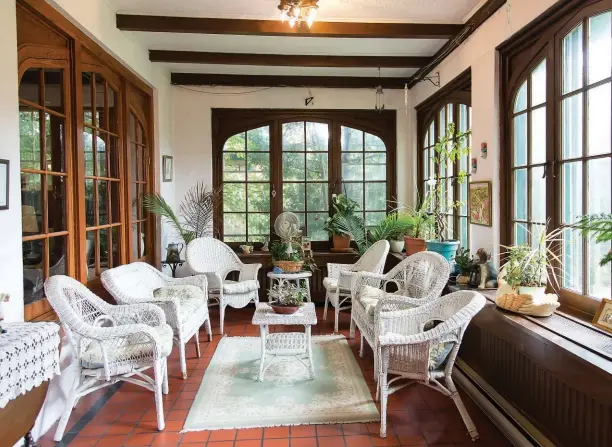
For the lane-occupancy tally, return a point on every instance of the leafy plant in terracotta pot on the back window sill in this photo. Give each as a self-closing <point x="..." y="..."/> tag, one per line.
<point x="343" y="222"/>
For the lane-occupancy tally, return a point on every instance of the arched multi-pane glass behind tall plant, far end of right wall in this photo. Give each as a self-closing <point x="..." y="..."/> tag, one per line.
<point x="455" y="195"/>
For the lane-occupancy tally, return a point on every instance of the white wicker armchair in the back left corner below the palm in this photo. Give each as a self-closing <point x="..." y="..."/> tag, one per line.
<point x="213" y="258"/>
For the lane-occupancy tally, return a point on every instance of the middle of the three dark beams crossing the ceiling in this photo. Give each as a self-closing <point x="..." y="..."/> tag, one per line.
<point x="286" y="60"/>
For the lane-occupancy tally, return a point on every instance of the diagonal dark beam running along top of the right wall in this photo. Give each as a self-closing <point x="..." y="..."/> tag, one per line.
<point x="477" y="19"/>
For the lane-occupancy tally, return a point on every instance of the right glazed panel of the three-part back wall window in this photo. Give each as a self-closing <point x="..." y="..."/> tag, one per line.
<point x="364" y="173"/>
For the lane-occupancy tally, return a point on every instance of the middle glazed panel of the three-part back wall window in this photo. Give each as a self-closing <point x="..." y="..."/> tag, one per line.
<point x="306" y="175"/>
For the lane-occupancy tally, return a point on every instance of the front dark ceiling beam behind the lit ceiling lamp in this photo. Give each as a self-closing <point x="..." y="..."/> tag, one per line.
<point x="201" y="25"/>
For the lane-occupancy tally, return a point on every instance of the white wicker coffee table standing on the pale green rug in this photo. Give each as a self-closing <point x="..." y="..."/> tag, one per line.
<point x="295" y="344"/>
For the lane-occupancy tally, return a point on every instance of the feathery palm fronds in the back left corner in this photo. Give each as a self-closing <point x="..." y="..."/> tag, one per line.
<point x="196" y="211"/>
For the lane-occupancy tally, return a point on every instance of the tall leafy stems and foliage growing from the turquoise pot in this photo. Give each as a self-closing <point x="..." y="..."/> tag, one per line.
<point x="449" y="148"/>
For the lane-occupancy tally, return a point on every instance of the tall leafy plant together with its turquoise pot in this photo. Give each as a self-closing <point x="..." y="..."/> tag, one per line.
<point x="449" y="148"/>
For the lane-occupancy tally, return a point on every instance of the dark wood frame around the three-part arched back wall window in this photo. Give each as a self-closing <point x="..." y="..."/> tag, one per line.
<point x="229" y="122"/>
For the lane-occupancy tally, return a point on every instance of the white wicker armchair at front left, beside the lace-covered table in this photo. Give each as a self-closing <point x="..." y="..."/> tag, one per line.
<point x="111" y="343"/>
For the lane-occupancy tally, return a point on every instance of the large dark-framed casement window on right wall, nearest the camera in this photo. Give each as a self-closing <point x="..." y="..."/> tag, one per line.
<point x="557" y="99"/>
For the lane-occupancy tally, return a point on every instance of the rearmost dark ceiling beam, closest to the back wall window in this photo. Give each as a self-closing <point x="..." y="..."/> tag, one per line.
<point x="285" y="81"/>
